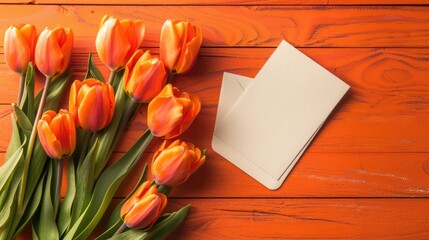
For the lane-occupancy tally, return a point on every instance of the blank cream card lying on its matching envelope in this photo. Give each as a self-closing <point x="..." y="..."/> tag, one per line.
<point x="264" y="124"/>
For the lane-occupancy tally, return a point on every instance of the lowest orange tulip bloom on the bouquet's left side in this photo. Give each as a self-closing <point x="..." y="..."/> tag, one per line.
<point x="57" y="133"/>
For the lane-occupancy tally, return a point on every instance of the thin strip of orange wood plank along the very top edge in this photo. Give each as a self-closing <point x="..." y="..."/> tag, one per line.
<point x="223" y="2"/>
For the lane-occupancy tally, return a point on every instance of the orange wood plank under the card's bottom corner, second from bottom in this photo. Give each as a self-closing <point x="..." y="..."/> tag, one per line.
<point x="321" y="175"/>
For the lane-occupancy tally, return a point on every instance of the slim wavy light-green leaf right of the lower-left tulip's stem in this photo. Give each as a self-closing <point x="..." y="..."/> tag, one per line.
<point x="64" y="217"/>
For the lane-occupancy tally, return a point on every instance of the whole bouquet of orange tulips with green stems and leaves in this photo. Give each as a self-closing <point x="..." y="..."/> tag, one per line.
<point x="47" y="141"/>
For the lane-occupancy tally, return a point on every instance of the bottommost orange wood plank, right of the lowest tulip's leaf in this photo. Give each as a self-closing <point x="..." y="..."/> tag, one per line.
<point x="304" y="219"/>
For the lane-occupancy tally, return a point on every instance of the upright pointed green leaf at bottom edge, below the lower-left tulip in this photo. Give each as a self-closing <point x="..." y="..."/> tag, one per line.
<point x="46" y="226"/>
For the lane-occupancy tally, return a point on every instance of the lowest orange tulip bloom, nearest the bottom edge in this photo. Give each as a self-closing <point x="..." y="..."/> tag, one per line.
<point x="144" y="207"/>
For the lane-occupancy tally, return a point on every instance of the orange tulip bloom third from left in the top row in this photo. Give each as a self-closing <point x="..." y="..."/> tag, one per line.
<point x="117" y="40"/>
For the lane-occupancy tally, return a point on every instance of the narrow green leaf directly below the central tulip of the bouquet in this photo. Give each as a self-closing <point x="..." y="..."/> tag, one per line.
<point x="85" y="181"/>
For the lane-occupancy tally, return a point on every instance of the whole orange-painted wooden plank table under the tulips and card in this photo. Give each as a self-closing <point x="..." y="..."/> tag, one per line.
<point x="365" y="175"/>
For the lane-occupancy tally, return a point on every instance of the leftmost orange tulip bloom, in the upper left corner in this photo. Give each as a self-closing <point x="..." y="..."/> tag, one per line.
<point x="19" y="45"/>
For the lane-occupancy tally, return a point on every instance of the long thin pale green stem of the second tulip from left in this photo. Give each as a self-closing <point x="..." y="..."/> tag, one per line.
<point x="31" y="144"/>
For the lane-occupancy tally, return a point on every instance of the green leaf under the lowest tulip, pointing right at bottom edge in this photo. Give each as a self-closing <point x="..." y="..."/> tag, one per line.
<point x="160" y="230"/>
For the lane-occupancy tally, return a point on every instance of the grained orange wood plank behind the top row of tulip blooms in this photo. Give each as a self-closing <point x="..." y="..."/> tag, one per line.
<point x="311" y="26"/>
